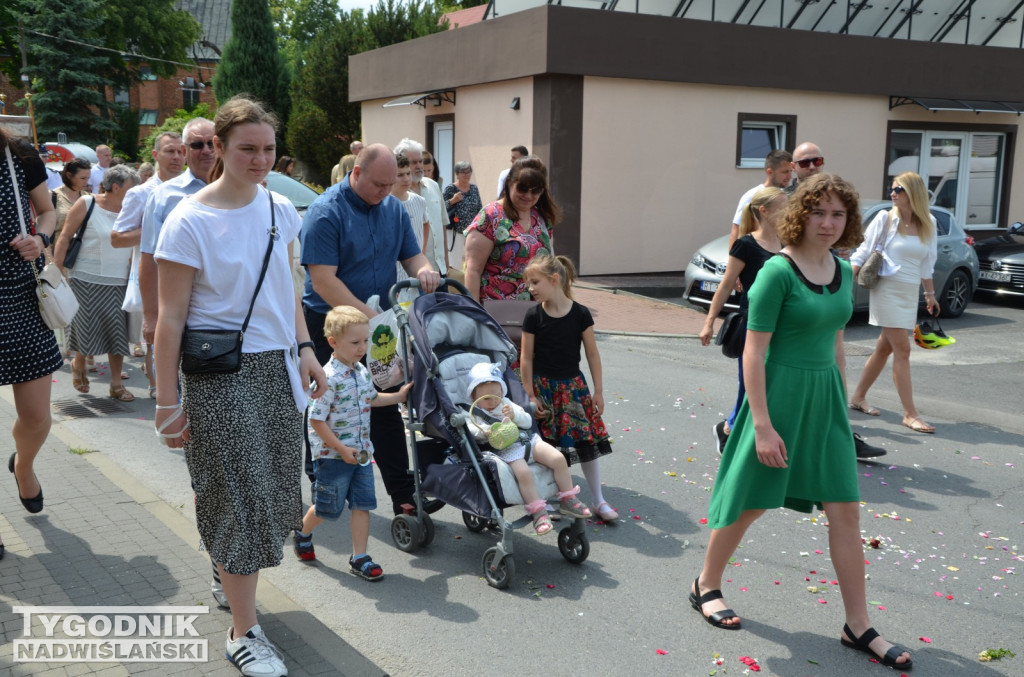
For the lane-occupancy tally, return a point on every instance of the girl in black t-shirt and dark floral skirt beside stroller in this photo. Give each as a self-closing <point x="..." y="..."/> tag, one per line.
<point x="552" y="334"/>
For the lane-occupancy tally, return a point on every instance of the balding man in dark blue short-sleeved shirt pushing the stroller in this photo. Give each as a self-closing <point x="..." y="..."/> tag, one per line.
<point x="353" y="236"/>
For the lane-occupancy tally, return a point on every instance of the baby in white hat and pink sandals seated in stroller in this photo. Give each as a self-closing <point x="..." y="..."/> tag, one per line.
<point x="491" y="417"/>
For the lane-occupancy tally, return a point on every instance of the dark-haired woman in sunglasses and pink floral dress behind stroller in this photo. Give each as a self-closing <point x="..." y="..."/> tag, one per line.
<point x="509" y="233"/>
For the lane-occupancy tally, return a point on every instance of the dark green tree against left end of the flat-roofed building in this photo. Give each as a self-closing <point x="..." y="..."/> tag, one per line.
<point x="324" y="121"/>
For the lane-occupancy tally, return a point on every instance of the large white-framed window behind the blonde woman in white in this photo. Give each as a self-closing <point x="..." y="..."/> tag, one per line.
<point x="964" y="170"/>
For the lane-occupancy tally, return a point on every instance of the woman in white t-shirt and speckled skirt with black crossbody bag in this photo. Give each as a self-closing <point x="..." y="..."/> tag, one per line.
<point x="242" y="433"/>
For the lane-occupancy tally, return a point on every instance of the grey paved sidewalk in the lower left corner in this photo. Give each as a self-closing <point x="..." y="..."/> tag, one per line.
<point x="106" y="540"/>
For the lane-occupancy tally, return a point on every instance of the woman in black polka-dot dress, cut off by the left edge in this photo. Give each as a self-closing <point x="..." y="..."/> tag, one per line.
<point x="28" y="349"/>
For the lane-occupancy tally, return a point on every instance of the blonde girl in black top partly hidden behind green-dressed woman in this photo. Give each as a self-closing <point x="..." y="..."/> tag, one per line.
<point x="758" y="243"/>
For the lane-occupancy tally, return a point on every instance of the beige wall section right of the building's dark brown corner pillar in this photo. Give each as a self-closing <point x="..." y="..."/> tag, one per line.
<point x="660" y="162"/>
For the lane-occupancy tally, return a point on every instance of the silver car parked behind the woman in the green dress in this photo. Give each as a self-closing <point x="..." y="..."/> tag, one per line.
<point x="956" y="271"/>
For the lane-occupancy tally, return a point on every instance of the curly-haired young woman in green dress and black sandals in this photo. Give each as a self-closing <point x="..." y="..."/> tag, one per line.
<point x="792" y="445"/>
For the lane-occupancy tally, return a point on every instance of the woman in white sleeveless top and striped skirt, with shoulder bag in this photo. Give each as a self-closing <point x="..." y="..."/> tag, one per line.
<point x="100" y="280"/>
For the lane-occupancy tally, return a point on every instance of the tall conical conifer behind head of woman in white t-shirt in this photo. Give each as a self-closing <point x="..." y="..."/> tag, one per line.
<point x="251" y="63"/>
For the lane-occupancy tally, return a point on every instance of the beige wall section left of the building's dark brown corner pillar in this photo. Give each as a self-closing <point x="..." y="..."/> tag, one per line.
<point x="486" y="129"/>
